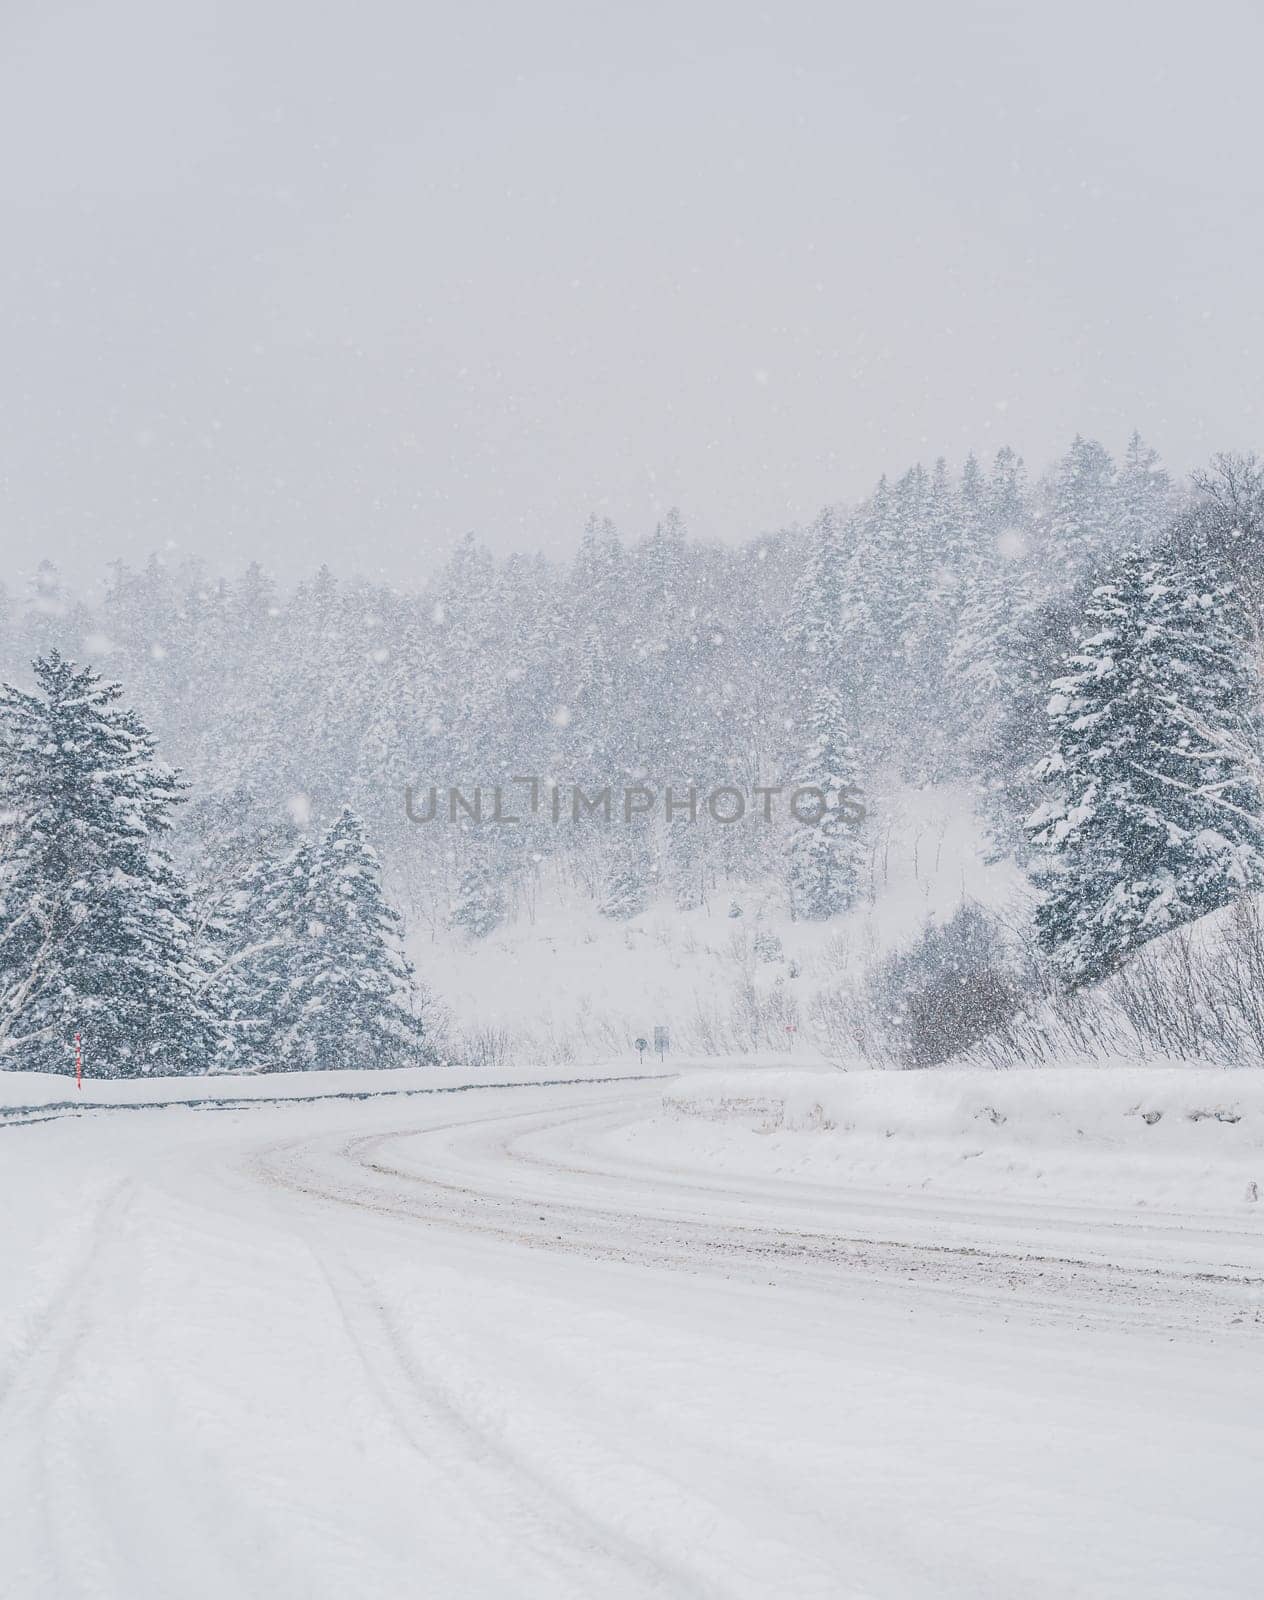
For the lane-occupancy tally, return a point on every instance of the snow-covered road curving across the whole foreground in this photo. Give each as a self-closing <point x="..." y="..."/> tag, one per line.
<point x="471" y="1345"/>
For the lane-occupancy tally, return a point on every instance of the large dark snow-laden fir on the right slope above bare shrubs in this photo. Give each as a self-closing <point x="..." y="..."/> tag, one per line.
<point x="1153" y="818"/>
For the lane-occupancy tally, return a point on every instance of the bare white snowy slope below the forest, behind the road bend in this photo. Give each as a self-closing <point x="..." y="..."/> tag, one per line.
<point x="569" y="983"/>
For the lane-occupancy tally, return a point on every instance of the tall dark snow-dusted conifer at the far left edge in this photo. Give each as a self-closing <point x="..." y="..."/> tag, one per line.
<point x="95" y="932"/>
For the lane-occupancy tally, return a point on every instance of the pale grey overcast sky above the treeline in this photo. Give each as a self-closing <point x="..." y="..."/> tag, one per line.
<point x="340" y="282"/>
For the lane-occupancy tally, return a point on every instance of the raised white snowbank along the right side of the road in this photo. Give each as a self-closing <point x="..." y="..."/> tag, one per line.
<point x="1188" y="1138"/>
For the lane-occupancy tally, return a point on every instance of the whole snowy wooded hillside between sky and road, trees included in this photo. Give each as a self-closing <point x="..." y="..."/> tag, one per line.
<point x="881" y="788"/>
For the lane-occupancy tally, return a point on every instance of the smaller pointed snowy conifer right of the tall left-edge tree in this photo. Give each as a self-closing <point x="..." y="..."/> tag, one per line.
<point x="351" y="996"/>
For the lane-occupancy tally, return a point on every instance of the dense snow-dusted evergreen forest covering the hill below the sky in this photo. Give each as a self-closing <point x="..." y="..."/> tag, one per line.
<point x="1079" y="650"/>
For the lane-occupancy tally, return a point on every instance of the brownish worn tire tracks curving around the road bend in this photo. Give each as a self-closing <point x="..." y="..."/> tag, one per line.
<point x="1050" y="1282"/>
